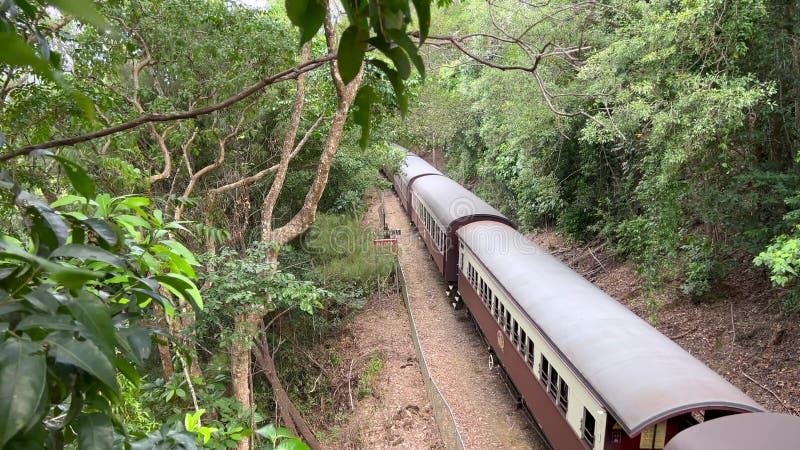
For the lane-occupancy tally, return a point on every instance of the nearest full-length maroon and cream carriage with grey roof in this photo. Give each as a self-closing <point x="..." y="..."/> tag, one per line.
<point x="593" y="374"/>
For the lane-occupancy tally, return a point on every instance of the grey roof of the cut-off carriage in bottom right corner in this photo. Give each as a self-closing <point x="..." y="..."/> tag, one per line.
<point x="741" y="432"/>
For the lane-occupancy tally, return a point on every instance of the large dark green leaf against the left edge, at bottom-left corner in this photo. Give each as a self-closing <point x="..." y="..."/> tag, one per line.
<point x="23" y="376"/>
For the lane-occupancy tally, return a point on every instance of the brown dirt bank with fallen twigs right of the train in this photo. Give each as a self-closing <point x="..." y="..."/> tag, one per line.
<point x="740" y="333"/>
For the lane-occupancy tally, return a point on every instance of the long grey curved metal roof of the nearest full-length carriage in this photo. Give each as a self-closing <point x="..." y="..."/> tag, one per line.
<point x="638" y="373"/>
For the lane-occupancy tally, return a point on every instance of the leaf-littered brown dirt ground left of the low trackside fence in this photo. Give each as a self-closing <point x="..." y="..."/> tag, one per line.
<point x="397" y="412"/>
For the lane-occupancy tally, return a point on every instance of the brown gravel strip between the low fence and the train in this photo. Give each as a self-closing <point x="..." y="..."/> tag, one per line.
<point x="486" y="414"/>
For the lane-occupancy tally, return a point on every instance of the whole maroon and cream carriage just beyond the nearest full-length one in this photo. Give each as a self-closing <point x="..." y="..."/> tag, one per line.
<point x="439" y="207"/>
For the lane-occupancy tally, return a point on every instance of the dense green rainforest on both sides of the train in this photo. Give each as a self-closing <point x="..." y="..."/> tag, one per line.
<point x="182" y="183"/>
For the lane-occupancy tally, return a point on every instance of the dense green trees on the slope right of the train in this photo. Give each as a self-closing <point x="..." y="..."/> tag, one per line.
<point x="674" y="136"/>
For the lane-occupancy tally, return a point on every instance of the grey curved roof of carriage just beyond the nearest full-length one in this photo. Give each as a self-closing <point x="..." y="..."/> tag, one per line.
<point x="449" y="201"/>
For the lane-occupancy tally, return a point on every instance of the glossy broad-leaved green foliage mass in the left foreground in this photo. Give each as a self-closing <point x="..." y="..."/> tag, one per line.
<point x="72" y="289"/>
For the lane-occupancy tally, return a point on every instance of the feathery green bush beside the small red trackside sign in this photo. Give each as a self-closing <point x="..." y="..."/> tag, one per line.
<point x="345" y="253"/>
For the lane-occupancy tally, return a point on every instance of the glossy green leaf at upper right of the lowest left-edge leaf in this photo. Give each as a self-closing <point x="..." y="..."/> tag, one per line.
<point x="84" y="355"/>
